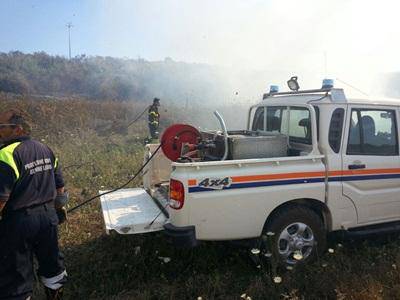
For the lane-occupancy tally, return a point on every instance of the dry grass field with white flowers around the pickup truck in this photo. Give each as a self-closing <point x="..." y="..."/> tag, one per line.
<point x="104" y="266"/>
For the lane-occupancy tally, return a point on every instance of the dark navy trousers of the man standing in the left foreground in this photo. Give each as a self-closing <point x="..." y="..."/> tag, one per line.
<point x="25" y="233"/>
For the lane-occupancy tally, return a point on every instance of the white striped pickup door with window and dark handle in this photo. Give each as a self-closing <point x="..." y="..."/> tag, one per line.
<point x="370" y="164"/>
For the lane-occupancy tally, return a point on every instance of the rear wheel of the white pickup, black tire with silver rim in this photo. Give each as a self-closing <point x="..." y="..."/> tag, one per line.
<point x="286" y="225"/>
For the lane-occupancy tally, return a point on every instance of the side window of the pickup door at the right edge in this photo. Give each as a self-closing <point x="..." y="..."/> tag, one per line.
<point x="372" y="132"/>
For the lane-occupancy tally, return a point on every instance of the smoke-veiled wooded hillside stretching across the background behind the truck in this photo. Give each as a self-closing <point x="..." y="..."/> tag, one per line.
<point x="102" y="78"/>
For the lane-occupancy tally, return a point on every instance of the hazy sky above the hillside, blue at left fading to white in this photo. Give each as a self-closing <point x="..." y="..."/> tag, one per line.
<point x="349" y="39"/>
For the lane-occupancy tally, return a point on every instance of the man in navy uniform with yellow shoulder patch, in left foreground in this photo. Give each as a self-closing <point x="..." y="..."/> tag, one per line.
<point x="32" y="200"/>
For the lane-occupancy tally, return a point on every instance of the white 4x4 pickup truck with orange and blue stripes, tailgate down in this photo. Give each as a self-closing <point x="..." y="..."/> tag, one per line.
<point x="309" y="163"/>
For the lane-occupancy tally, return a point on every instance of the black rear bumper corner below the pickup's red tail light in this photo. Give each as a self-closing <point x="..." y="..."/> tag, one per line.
<point x="181" y="236"/>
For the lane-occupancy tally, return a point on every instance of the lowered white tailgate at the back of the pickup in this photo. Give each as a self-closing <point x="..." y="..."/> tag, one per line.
<point x="132" y="211"/>
